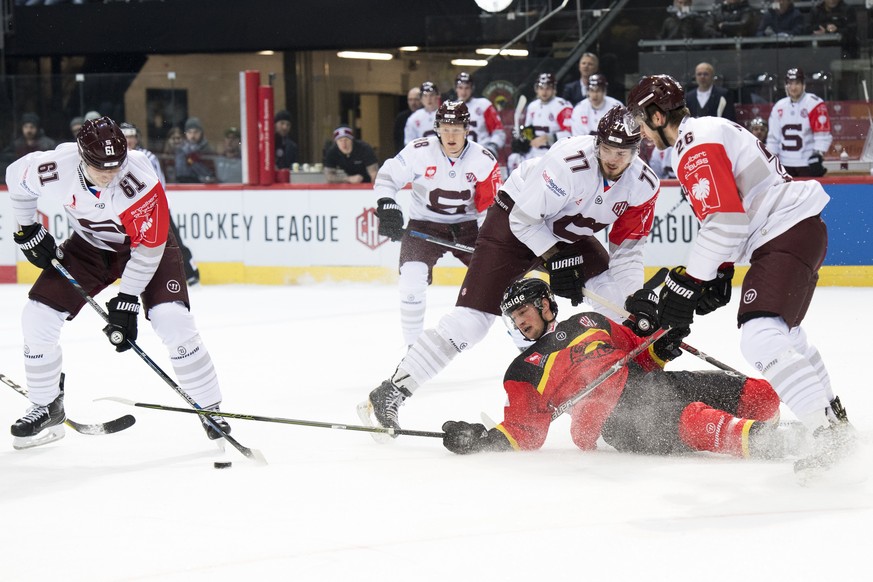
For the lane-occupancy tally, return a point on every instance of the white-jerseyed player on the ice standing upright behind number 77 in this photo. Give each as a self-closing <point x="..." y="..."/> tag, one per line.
<point x="454" y="181"/>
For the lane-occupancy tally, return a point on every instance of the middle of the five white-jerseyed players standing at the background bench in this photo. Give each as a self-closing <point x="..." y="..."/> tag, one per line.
<point x="546" y="120"/>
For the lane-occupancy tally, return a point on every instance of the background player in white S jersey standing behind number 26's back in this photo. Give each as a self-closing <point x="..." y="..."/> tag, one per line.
<point x="800" y="128"/>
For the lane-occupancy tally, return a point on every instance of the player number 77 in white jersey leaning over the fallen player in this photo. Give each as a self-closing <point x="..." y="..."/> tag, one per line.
<point x="546" y="214"/>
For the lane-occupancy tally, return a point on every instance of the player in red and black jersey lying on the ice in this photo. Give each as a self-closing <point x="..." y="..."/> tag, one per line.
<point x="639" y="409"/>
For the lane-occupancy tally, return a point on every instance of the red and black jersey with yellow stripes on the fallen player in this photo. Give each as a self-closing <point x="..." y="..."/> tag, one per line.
<point x="561" y="364"/>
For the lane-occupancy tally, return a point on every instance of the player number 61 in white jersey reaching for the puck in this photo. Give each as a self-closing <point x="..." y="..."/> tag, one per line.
<point x="118" y="211"/>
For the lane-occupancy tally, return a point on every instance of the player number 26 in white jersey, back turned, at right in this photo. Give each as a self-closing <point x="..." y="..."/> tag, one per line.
<point x="750" y="209"/>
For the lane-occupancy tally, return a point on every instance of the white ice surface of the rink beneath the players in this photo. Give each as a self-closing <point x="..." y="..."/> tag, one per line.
<point x="147" y="504"/>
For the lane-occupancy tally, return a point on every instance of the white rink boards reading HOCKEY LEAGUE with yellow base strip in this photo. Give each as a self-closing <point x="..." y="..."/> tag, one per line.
<point x="299" y="235"/>
